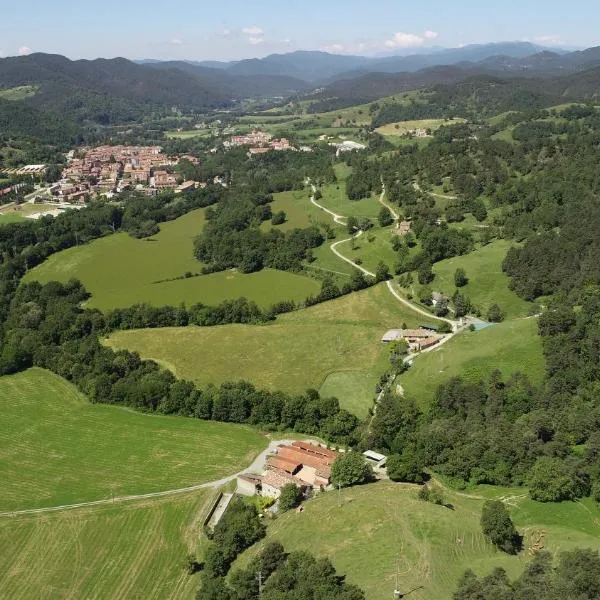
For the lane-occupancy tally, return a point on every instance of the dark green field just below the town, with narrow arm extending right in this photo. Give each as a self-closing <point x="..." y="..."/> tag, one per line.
<point x="121" y="271"/>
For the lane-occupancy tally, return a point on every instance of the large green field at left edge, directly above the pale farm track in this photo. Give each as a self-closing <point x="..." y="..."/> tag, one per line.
<point x="56" y="448"/>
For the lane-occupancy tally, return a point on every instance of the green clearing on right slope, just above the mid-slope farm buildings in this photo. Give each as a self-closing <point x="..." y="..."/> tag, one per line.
<point x="487" y="283"/>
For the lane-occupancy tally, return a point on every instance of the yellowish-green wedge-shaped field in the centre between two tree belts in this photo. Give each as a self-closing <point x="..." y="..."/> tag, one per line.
<point x="300" y="350"/>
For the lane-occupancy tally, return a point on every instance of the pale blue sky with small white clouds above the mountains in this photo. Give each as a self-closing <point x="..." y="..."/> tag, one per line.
<point x="233" y="29"/>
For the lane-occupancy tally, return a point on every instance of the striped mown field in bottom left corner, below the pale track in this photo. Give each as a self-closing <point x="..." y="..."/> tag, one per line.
<point x="131" y="550"/>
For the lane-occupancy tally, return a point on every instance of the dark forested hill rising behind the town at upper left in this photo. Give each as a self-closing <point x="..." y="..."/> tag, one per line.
<point x="117" y="90"/>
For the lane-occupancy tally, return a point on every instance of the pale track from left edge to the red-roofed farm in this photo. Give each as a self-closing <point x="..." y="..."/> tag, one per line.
<point x="256" y="467"/>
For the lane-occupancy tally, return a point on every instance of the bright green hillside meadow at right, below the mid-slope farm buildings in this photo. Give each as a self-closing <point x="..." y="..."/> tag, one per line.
<point x="510" y="346"/>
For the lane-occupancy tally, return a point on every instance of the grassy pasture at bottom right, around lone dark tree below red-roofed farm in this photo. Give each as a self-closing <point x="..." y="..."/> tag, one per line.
<point x="382" y="529"/>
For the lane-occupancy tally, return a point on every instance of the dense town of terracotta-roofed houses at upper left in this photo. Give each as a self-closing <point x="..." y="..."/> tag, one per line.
<point x="109" y="169"/>
